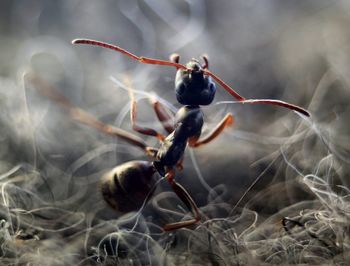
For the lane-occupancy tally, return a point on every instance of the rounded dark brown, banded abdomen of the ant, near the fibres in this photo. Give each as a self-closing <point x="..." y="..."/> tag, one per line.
<point x="127" y="186"/>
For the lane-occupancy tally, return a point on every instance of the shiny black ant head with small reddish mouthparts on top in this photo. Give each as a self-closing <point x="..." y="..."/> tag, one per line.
<point x="192" y="85"/>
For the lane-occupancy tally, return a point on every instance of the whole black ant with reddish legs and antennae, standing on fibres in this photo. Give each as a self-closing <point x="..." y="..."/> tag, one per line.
<point x="129" y="185"/>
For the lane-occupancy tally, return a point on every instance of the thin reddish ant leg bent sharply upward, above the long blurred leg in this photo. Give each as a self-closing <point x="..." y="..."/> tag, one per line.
<point x="133" y="112"/>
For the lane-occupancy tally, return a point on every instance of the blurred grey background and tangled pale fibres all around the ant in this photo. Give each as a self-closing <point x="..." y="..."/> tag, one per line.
<point x="272" y="164"/>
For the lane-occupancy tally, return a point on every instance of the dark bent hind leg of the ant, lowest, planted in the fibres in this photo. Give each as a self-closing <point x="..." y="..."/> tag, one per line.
<point x="182" y="193"/>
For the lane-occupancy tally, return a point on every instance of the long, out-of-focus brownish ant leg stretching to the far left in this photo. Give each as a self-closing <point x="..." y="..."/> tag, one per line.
<point x="83" y="117"/>
